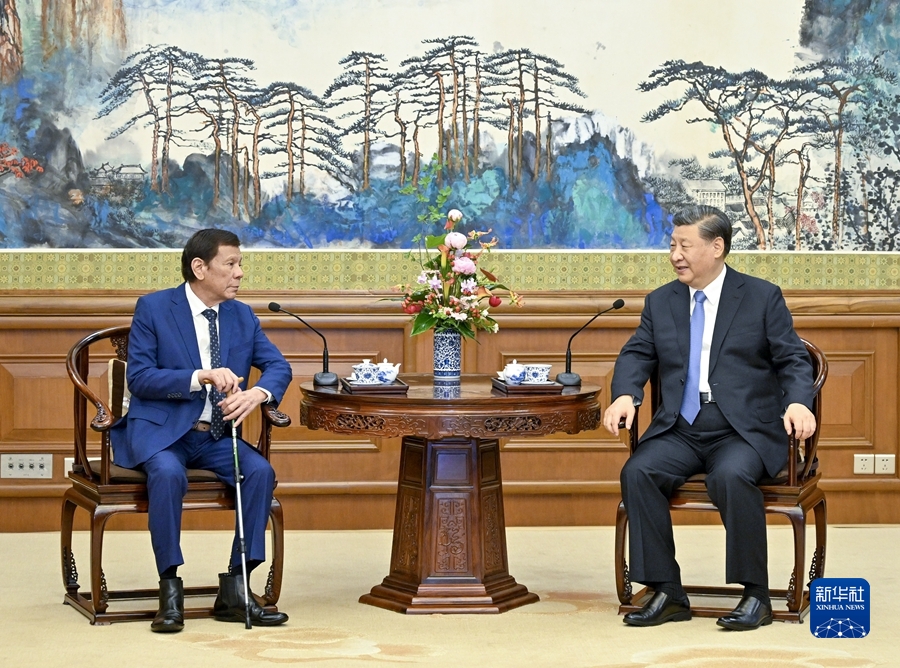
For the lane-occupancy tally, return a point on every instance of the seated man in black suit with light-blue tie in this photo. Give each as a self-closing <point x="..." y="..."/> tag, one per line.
<point x="734" y="378"/>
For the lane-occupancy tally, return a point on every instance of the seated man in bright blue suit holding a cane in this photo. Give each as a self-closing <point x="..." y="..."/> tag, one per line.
<point x="190" y="350"/>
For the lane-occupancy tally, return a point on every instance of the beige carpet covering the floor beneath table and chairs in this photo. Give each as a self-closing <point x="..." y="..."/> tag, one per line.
<point x="575" y="624"/>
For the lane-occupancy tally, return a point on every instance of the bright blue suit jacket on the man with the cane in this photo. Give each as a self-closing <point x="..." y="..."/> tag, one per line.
<point x="163" y="354"/>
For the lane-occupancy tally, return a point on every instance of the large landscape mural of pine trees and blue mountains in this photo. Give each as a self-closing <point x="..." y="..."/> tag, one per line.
<point x="577" y="124"/>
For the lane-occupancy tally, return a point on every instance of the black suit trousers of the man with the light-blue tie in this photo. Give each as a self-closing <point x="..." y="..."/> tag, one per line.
<point x="662" y="463"/>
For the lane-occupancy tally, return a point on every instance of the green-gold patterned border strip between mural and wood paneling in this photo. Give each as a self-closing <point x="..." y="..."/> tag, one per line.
<point x="382" y="269"/>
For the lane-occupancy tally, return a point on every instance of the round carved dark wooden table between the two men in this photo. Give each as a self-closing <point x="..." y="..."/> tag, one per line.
<point x="449" y="548"/>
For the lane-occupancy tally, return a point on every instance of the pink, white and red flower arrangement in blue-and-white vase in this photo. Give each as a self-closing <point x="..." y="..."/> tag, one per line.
<point x="450" y="293"/>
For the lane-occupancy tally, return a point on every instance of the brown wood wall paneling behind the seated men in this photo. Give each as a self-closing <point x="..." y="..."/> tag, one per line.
<point x="333" y="481"/>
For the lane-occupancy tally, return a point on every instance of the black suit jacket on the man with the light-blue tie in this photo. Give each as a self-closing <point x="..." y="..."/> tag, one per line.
<point x="758" y="365"/>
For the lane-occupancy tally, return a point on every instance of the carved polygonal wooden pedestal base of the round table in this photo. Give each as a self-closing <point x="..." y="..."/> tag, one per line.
<point x="449" y="551"/>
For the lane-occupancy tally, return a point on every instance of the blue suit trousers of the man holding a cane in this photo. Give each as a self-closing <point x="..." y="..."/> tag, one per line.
<point x="167" y="484"/>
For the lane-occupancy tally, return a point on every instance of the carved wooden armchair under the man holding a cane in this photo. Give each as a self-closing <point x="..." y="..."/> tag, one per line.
<point x="104" y="489"/>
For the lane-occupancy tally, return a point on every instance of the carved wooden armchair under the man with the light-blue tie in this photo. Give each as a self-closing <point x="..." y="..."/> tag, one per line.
<point x="793" y="493"/>
